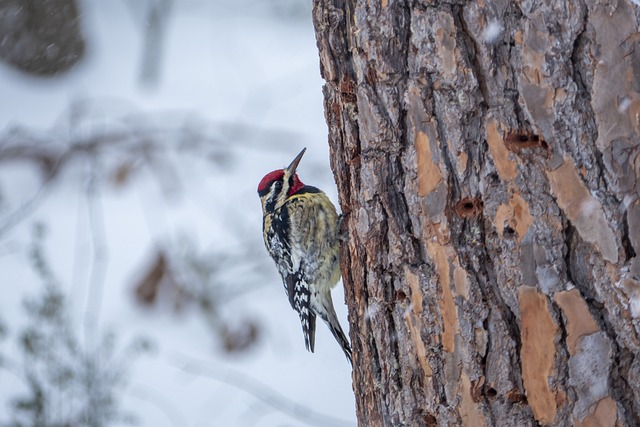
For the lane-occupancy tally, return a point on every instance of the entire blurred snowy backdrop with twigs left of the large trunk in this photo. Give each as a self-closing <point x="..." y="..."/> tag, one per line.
<point x="135" y="287"/>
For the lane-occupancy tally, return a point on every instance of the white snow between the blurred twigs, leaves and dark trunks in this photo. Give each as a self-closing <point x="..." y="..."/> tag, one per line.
<point x="221" y="67"/>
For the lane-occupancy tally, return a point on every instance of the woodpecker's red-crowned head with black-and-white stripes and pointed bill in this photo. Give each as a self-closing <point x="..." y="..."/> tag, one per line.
<point x="277" y="186"/>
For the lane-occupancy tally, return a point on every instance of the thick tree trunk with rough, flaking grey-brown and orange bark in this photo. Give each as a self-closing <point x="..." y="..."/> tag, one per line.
<point x="487" y="157"/>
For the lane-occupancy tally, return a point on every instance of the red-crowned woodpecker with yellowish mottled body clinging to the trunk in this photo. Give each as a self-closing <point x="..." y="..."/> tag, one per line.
<point x="301" y="232"/>
